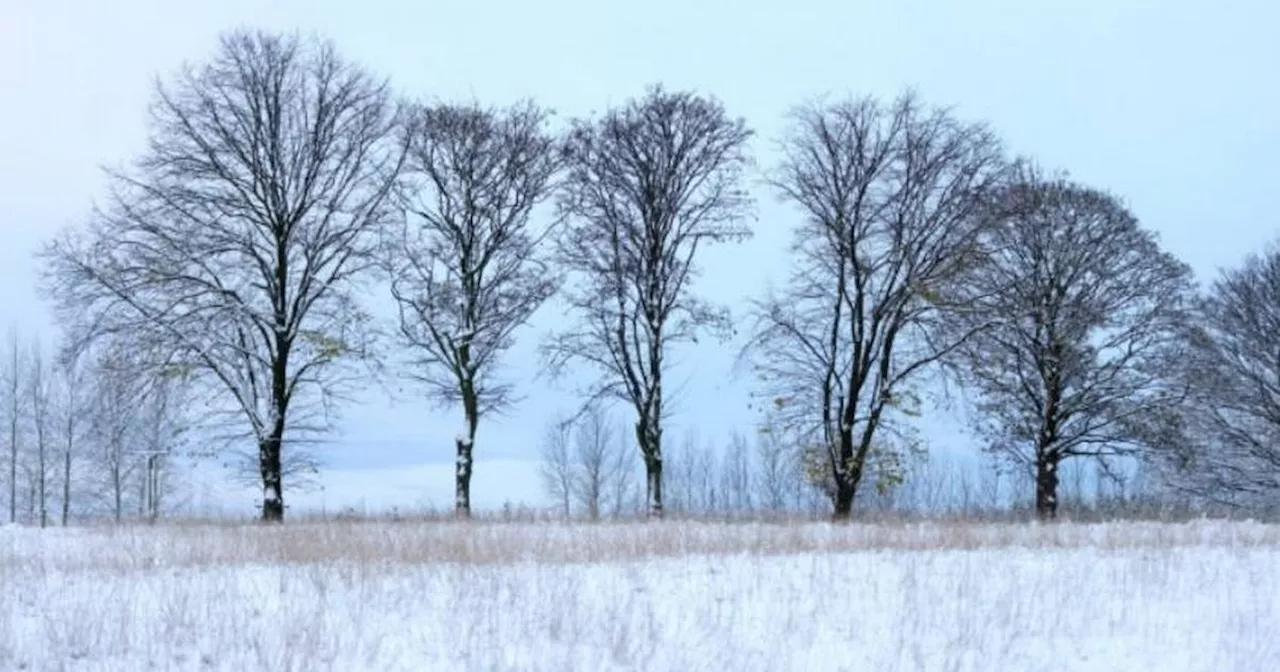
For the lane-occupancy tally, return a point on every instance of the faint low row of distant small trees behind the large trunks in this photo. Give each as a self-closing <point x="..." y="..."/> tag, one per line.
<point x="588" y="470"/>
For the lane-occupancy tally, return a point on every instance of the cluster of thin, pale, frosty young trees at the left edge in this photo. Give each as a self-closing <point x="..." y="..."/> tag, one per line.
<point x="86" y="437"/>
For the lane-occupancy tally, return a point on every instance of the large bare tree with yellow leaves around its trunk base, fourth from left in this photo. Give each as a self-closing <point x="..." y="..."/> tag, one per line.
<point x="889" y="196"/>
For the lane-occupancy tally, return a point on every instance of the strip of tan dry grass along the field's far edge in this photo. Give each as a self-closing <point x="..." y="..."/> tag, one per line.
<point x="426" y="542"/>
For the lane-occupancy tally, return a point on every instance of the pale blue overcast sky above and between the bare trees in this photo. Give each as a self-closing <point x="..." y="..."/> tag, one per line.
<point x="1169" y="104"/>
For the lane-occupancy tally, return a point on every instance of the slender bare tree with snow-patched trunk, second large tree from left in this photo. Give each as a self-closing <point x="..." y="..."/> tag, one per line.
<point x="468" y="267"/>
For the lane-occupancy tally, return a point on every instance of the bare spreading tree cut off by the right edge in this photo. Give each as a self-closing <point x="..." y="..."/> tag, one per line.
<point x="1229" y="449"/>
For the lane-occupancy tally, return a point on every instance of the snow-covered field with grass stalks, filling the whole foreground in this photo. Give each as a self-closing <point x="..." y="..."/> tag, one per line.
<point x="679" y="596"/>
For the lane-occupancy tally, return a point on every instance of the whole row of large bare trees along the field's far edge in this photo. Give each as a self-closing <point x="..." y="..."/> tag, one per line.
<point x="281" y="182"/>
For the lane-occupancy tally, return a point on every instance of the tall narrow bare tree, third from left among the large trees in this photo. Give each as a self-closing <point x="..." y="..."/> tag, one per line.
<point x="648" y="185"/>
